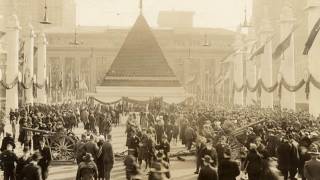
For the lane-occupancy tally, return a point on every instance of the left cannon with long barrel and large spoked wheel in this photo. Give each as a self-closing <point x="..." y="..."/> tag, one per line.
<point x="61" y="144"/>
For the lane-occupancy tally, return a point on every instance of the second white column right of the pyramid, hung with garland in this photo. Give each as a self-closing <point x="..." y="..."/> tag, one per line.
<point x="266" y="62"/>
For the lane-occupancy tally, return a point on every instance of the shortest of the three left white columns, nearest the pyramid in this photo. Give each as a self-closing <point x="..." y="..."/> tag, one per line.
<point x="42" y="68"/>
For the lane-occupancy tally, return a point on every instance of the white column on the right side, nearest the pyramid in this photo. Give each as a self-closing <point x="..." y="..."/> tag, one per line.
<point x="238" y="69"/>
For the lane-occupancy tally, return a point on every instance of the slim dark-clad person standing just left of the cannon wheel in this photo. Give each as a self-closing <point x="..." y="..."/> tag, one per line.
<point x="45" y="159"/>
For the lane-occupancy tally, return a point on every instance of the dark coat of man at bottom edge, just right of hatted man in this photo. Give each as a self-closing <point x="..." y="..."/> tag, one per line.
<point x="228" y="170"/>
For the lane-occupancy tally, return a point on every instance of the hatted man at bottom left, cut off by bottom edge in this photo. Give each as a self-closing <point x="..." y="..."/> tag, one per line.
<point x="32" y="171"/>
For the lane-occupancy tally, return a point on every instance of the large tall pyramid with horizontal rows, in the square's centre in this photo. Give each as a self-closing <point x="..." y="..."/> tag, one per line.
<point x="140" y="61"/>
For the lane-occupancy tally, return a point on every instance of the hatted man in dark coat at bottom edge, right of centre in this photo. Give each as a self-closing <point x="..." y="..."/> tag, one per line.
<point x="207" y="171"/>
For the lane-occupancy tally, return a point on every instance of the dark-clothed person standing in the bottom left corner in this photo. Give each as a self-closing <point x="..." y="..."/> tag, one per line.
<point x="8" y="159"/>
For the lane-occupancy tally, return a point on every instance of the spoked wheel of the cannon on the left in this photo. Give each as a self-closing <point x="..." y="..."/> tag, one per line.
<point x="62" y="148"/>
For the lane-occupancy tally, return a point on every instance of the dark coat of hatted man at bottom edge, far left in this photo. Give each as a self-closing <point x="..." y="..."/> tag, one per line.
<point x="31" y="172"/>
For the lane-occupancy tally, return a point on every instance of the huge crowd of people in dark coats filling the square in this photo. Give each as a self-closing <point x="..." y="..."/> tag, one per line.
<point x="228" y="142"/>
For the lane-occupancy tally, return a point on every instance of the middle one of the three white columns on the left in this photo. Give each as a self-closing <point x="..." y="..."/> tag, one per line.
<point x="29" y="52"/>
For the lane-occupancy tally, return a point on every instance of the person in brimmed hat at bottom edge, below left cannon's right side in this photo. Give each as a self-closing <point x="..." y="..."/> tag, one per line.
<point x="87" y="170"/>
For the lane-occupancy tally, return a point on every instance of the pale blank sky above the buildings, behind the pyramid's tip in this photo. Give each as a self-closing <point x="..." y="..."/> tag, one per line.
<point x="208" y="13"/>
